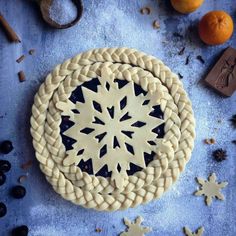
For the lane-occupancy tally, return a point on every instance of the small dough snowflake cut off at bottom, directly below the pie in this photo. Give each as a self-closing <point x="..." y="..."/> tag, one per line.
<point x="135" y="228"/>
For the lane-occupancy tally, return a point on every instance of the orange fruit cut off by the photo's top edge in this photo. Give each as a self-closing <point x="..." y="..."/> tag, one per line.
<point x="186" y="6"/>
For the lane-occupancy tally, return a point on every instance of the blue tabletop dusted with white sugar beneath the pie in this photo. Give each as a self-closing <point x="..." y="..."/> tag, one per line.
<point x="111" y="24"/>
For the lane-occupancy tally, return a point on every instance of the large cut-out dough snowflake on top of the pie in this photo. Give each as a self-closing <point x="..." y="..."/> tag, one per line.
<point x="113" y="127"/>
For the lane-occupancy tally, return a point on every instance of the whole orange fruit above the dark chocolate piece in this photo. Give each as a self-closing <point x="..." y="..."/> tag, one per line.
<point x="216" y="27"/>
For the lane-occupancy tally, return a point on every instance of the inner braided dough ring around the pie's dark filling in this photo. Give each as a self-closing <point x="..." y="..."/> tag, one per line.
<point x="101" y="184"/>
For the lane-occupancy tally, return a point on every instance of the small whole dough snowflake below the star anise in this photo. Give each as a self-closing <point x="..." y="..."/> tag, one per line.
<point x="210" y="189"/>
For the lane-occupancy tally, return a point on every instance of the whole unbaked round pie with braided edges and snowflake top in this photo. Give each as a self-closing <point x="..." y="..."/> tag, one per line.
<point x="112" y="128"/>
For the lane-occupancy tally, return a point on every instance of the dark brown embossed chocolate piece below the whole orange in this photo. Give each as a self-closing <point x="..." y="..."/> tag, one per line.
<point x="222" y="76"/>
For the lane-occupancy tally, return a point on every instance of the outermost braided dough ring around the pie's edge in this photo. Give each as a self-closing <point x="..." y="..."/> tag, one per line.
<point x="124" y="200"/>
